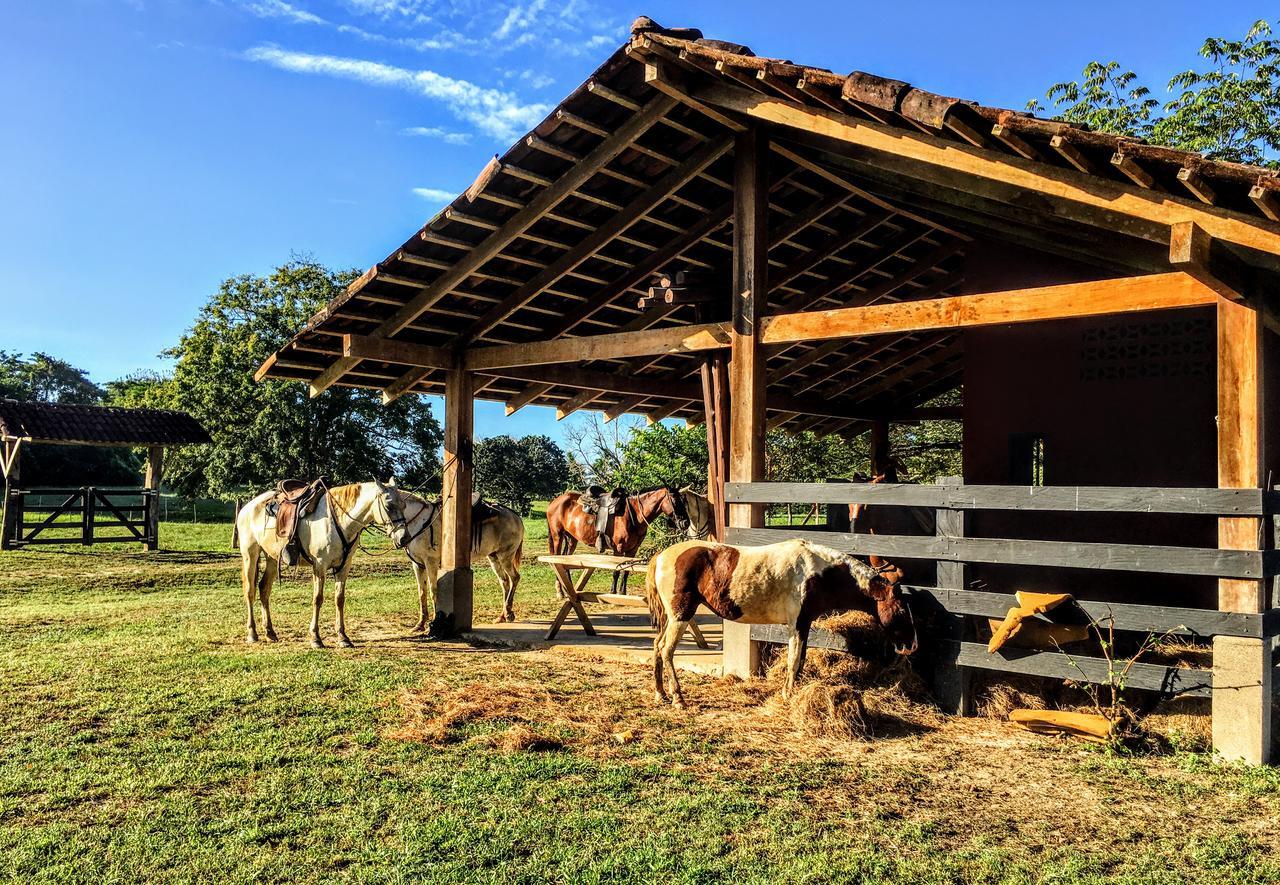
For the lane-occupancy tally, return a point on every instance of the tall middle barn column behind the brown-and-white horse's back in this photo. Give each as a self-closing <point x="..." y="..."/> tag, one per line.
<point x="748" y="358"/>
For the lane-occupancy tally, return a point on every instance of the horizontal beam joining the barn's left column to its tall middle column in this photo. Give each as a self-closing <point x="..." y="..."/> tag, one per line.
<point x="615" y="346"/>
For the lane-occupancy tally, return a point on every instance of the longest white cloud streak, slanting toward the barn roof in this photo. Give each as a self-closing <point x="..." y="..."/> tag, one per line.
<point x="496" y="113"/>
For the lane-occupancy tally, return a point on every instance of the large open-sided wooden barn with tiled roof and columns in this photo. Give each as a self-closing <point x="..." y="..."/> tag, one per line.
<point x="840" y="250"/>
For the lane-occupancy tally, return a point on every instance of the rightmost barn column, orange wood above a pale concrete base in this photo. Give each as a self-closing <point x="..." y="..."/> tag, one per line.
<point x="1242" y="668"/>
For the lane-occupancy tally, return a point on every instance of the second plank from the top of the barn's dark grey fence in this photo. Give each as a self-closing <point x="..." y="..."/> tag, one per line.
<point x="1009" y="551"/>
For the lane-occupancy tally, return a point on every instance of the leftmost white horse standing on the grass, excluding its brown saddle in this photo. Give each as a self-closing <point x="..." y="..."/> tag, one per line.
<point x="327" y="539"/>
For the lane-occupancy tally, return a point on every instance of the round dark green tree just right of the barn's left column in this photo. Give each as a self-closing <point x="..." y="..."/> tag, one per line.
<point x="519" y="472"/>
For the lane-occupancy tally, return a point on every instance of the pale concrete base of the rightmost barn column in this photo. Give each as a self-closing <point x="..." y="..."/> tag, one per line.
<point x="1242" y="700"/>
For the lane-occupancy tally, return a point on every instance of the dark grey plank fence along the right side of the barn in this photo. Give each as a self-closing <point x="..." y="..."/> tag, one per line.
<point x="950" y="603"/>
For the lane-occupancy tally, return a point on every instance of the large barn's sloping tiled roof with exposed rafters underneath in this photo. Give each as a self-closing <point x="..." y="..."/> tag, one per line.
<point x="560" y="236"/>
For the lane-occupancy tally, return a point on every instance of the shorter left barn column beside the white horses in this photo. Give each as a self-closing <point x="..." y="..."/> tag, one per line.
<point x="454" y="606"/>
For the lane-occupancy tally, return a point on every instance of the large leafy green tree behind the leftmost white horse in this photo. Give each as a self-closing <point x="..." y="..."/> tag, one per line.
<point x="267" y="431"/>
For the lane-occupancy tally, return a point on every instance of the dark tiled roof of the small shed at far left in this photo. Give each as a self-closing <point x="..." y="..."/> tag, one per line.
<point x="98" y="426"/>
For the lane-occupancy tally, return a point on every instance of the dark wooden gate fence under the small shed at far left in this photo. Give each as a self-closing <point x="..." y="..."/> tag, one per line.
<point x="88" y="516"/>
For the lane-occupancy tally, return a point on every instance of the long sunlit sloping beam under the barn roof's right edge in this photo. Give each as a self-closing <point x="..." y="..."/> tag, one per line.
<point x="1087" y="199"/>
